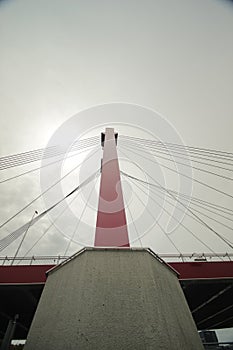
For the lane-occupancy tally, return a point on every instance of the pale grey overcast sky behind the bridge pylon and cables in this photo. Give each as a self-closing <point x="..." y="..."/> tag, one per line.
<point x="60" y="57"/>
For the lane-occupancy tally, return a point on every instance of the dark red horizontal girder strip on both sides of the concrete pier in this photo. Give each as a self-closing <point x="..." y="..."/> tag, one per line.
<point x="32" y="274"/>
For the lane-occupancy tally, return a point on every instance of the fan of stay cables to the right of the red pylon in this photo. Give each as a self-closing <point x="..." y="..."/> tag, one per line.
<point x="201" y="211"/>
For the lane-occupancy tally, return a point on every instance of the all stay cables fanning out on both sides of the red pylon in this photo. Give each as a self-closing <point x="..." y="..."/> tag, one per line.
<point x="207" y="162"/>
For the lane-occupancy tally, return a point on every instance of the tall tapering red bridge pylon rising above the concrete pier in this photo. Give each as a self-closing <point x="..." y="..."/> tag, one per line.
<point x="111" y="226"/>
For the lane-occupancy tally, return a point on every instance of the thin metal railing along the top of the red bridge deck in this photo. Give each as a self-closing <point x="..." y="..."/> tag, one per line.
<point x="57" y="259"/>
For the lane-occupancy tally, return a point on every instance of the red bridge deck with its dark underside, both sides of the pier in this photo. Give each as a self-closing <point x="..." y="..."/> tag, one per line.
<point x="209" y="297"/>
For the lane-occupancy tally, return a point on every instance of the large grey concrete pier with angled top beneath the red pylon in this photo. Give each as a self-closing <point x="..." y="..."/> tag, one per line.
<point x="113" y="299"/>
